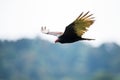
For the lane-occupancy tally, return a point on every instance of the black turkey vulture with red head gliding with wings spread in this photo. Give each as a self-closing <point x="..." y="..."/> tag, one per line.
<point x="73" y="31"/>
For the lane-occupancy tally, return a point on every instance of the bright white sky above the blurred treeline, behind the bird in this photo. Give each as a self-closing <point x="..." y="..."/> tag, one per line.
<point x="24" y="18"/>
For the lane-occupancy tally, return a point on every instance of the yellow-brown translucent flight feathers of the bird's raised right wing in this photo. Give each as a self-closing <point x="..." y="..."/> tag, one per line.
<point x="82" y="23"/>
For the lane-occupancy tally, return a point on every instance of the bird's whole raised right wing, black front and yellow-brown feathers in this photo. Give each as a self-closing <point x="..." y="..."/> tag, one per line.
<point x="79" y="26"/>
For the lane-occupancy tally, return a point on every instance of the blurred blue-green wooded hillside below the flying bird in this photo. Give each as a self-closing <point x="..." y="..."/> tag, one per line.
<point x="36" y="59"/>
